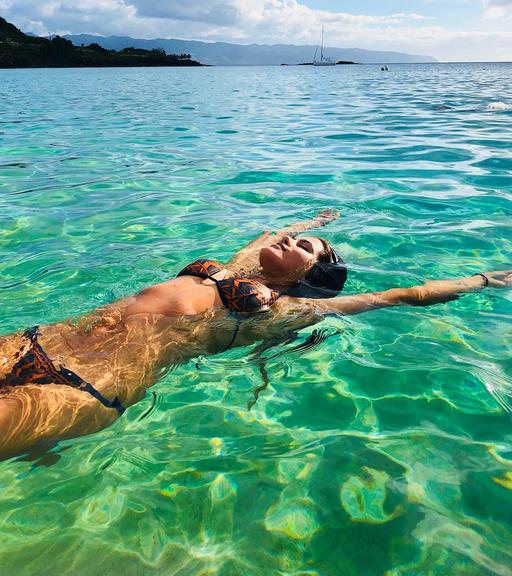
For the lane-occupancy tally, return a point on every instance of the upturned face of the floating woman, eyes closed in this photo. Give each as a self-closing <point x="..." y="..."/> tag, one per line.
<point x="292" y="257"/>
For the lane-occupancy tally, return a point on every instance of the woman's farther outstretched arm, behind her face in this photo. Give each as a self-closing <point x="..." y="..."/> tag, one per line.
<point x="248" y="256"/>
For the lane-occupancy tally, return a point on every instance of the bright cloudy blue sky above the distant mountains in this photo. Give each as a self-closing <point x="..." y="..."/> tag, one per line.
<point x="446" y="29"/>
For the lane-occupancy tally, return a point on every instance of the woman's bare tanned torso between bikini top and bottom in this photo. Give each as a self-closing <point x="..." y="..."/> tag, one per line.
<point x="125" y="346"/>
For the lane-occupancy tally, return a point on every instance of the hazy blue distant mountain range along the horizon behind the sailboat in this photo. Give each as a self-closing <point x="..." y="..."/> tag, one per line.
<point x="227" y="54"/>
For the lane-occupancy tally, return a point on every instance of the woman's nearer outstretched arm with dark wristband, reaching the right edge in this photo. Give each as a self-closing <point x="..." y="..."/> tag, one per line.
<point x="432" y="292"/>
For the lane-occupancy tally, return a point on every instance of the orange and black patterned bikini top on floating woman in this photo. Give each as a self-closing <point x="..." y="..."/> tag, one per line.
<point x="238" y="294"/>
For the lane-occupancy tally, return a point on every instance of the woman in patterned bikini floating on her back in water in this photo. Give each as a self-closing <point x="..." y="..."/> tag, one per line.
<point x="78" y="376"/>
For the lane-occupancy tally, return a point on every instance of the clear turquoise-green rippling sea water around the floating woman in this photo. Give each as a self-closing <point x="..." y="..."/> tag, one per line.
<point x="387" y="448"/>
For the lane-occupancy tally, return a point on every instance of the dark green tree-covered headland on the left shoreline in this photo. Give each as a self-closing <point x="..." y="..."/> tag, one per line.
<point x="19" y="50"/>
